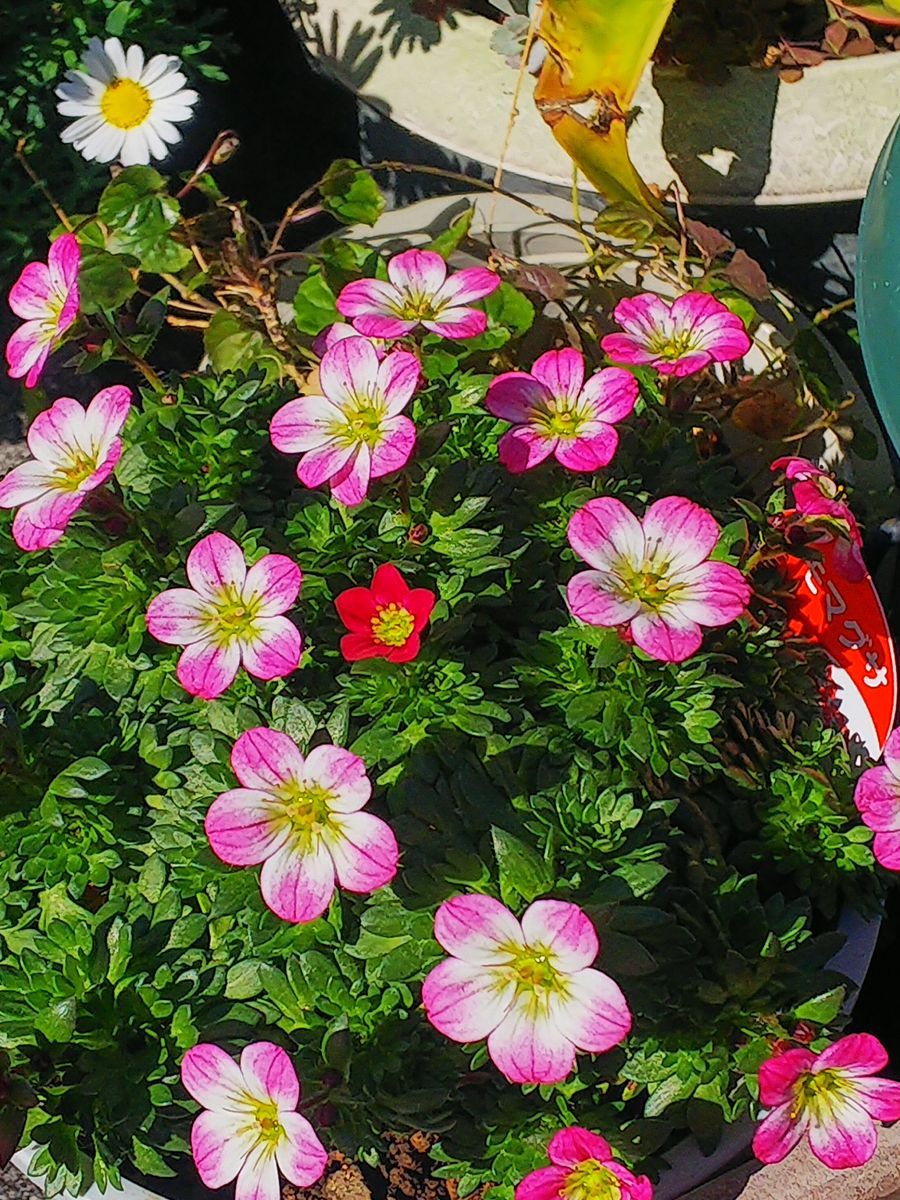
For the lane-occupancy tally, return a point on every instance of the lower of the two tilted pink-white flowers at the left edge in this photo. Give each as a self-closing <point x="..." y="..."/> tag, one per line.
<point x="75" y="451"/>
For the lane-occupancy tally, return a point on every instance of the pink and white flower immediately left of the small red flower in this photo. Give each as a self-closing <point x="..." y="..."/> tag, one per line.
<point x="230" y="616"/>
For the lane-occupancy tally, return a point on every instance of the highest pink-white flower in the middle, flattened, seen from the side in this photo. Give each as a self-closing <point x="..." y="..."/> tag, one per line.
<point x="419" y="293"/>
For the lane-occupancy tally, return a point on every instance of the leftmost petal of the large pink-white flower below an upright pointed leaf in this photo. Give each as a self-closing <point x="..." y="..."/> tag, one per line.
<point x="466" y="1003"/>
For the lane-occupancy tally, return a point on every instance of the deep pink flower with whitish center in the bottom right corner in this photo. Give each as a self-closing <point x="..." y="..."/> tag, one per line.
<point x="832" y="1099"/>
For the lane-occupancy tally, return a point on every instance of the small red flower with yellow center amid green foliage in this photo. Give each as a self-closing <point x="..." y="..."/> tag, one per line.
<point x="386" y="620"/>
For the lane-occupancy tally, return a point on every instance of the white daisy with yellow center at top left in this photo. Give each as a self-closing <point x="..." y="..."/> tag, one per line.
<point x="125" y="109"/>
